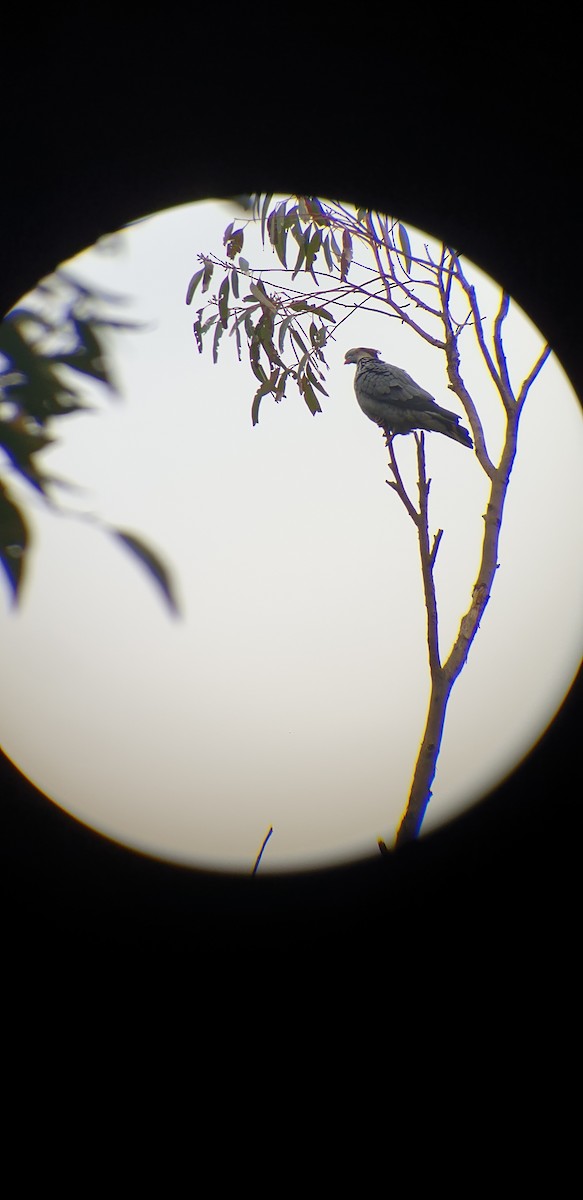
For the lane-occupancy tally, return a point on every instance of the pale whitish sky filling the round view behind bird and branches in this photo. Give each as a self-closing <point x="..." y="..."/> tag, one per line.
<point x="293" y="691"/>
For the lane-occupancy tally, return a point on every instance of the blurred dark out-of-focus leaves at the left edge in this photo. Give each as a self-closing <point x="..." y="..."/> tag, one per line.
<point x="46" y="345"/>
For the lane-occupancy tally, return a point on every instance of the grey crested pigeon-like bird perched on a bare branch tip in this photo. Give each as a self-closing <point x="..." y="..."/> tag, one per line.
<point x="392" y="399"/>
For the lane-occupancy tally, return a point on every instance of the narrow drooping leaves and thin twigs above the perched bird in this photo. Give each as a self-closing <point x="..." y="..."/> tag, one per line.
<point x="287" y="328"/>
